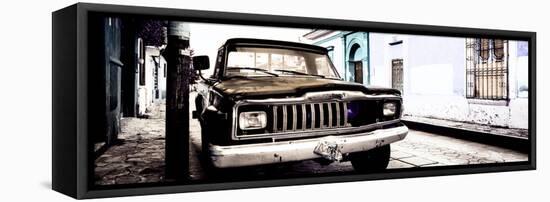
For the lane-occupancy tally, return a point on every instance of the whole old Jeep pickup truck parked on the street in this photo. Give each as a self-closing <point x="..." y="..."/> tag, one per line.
<point x="270" y="102"/>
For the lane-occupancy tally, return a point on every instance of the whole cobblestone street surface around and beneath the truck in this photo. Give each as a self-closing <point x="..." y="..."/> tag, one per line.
<point x="140" y="156"/>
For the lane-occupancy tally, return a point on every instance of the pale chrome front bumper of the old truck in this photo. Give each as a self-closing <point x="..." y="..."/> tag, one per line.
<point x="298" y="150"/>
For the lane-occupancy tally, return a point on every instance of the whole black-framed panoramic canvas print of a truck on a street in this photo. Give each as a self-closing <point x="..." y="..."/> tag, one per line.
<point x="158" y="100"/>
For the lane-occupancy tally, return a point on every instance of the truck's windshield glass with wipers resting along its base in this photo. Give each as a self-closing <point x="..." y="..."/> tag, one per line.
<point x="254" y="61"/>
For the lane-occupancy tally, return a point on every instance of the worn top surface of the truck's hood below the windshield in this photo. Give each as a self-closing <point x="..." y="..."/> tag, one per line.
<point x="265" y="87"/>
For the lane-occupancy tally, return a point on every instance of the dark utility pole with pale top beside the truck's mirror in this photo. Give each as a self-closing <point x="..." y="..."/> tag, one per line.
<point x="177" y="102"/>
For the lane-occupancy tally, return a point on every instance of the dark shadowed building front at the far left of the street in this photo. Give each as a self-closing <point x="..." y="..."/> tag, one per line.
<point x="108" y="66"/>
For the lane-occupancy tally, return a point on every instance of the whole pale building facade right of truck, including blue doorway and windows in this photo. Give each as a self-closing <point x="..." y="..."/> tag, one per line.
<point x="472" y="80"/>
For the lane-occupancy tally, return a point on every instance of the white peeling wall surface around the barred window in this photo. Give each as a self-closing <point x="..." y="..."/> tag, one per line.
<point x="434" y="80"/>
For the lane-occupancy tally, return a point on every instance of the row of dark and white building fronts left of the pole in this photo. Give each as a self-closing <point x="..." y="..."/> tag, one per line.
<point x="133" y="76"/>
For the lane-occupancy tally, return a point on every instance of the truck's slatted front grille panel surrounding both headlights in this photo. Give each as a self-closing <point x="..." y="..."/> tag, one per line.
<point x="313" y="117"/>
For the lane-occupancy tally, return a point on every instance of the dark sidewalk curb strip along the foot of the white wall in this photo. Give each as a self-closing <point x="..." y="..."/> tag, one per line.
<point x="509" y="142"/>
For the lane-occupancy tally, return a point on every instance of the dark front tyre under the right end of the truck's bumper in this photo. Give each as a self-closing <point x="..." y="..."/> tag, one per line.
<point x="374" y="160"/>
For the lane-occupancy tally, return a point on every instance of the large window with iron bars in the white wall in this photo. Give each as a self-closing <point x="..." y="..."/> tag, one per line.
<point x="487" y="69"/>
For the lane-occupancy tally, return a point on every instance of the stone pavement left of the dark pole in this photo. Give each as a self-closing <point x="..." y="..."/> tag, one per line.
<point x="139" y="158"/>
